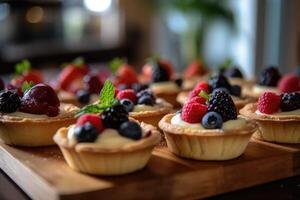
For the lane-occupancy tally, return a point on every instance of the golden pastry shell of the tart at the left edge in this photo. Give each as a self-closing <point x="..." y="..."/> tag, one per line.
<point x="34" y="131"/>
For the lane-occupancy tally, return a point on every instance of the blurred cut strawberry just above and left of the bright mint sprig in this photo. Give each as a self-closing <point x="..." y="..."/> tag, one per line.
<point x="71" y="78"/>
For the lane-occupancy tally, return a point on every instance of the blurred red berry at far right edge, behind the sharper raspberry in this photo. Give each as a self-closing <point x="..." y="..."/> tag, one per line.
<point x="289" y="83"/>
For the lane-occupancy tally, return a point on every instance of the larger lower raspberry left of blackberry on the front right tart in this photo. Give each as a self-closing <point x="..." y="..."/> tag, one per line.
<point x="193" y="112"/>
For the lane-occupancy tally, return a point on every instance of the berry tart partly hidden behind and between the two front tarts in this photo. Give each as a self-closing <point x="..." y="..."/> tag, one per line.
<point x="144" y="106"/>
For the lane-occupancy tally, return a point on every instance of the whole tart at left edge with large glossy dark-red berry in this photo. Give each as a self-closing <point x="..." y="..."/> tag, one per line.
<point x="33" y="119"/>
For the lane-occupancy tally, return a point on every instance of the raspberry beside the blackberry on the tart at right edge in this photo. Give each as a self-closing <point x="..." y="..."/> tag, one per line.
<point x="268" y="103"/>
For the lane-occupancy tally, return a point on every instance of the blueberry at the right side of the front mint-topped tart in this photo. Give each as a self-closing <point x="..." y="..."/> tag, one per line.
<point x="131" y="130"/>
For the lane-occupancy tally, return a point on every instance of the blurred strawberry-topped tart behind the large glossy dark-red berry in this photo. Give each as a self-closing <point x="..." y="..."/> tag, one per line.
<point x="77" y="85"/>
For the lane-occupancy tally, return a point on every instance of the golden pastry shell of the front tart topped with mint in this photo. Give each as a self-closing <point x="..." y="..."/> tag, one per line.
<point x="91" y="158"/>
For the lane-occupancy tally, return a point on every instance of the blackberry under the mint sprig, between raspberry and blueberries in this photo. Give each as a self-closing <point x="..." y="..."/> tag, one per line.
<point x="114" y="116"/>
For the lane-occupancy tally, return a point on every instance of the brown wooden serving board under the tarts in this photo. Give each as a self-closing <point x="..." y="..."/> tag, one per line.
<point x="43" y="174"/>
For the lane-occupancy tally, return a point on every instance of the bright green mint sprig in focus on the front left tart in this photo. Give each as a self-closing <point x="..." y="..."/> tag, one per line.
<point x="106" y="100"/>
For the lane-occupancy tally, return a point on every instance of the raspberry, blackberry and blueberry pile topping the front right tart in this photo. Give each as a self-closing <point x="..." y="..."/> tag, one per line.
<point x="210" y="111"/>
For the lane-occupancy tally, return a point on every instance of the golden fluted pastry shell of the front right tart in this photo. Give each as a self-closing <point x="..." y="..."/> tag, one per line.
<point x="214" y="144"/>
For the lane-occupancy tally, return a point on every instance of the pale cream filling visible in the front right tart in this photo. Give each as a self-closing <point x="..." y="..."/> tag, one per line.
<point x="228" y="125"/>
